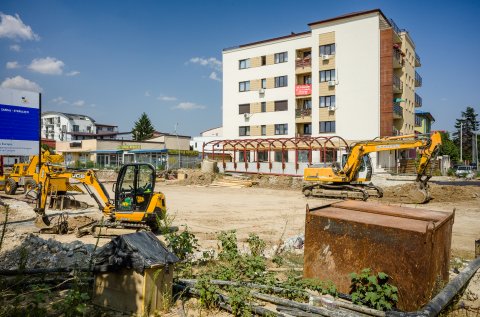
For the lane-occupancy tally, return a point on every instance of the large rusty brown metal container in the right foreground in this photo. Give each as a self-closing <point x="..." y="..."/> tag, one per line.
<point x="409" y="244"/>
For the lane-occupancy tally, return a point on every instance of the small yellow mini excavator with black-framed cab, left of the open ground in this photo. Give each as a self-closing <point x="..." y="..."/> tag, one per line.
<point x="135" y="206"/>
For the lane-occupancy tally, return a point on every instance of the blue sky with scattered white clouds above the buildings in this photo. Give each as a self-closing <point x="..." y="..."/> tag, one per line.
<point x="113" y="60"/>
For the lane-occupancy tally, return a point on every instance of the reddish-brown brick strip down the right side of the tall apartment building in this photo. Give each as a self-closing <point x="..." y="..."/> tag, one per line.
<point x="386" y="82"/>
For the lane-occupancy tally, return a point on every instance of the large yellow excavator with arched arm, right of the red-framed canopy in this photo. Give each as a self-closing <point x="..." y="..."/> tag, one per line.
<point x="352" y="180"/>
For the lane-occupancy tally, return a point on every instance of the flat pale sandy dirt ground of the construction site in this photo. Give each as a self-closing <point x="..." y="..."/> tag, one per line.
<point x="273" y="214"/>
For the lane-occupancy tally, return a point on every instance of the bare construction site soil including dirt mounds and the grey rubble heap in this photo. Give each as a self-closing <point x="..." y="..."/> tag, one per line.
<point x="273" y="208"/>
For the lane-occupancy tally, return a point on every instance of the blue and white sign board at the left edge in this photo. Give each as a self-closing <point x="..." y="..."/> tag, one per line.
<point x="19" y="122"/>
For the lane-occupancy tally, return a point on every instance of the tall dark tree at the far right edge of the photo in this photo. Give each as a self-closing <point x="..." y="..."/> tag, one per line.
<point x="466" y="125"/>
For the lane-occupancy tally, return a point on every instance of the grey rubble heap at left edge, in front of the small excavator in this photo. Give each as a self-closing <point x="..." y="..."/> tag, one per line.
<point x="35" y="252"/>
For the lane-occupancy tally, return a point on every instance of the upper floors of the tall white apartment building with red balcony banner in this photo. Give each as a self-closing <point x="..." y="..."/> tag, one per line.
<point x="353" y="76"/>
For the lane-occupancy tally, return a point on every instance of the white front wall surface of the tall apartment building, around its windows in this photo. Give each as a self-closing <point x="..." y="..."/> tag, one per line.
<point x="357" y="85"/>
